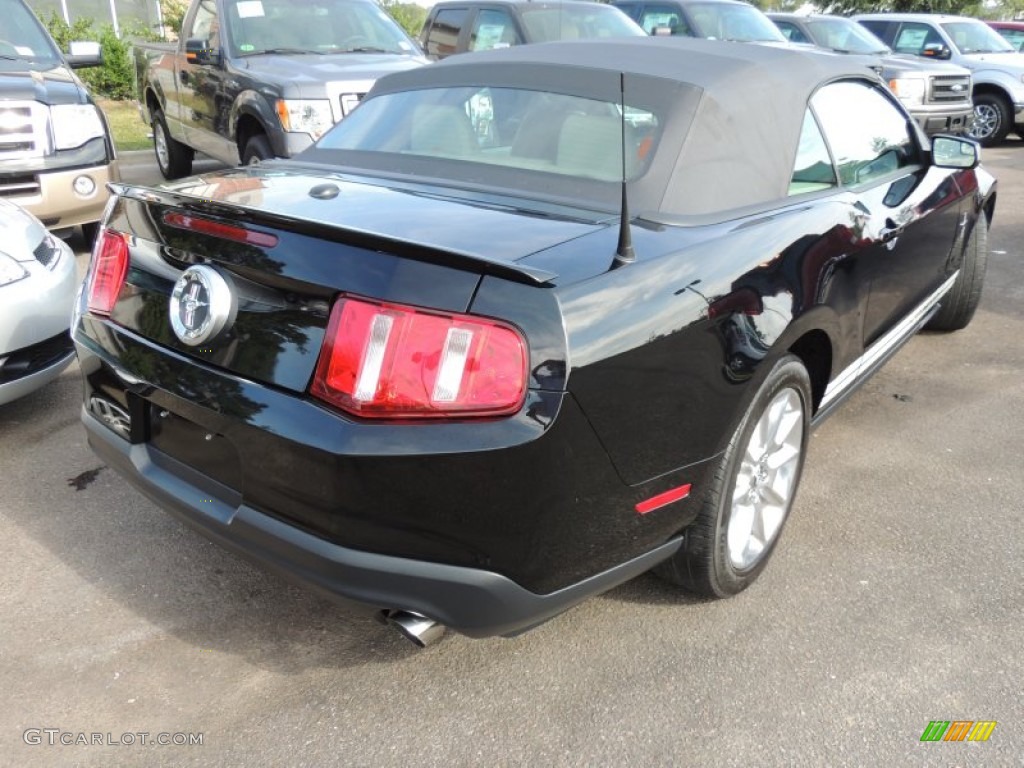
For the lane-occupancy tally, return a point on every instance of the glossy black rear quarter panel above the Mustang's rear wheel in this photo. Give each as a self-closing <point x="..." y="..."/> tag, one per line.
<point x="662" y="343"/>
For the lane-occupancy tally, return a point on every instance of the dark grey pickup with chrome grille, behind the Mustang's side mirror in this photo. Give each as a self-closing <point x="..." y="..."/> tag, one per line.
<point x="938" y="95"/>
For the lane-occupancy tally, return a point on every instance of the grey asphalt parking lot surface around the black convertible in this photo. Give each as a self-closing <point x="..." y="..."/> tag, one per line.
<point x="894" y="600"/>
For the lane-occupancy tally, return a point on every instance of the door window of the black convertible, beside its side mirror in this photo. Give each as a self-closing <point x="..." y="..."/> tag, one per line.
<point x="869" y="136"/>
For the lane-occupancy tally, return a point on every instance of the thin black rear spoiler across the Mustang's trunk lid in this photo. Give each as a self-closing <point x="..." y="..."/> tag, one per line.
<point x="350" y="236"/>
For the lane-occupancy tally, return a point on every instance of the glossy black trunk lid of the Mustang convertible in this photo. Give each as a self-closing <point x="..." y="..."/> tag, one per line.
<point x="285" y="274"/>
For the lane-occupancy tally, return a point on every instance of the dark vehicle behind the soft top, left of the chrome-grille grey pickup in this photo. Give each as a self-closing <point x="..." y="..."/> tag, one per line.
<point x="714" y="20"/>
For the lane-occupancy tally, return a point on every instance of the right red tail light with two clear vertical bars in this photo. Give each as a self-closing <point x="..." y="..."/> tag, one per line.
<point x="387" y="361"/>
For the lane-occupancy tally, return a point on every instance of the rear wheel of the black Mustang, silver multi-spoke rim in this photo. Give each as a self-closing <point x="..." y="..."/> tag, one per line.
<point x="754" y="488"/>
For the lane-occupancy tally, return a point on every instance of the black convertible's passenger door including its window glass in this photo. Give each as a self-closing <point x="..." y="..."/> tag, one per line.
<point x="911" y="209"/>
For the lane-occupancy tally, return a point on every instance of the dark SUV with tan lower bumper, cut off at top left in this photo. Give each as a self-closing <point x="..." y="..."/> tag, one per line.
<point x="57" y="155"/>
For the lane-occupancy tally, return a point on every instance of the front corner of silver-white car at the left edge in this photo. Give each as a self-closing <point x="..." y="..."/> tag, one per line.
<point x="38" y="283"/>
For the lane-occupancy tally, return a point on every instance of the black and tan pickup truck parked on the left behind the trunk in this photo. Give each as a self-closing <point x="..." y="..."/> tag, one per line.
<point x="257" y="79"/>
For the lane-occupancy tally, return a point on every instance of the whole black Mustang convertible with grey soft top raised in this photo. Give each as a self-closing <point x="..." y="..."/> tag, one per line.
<point x="473" y="377"/>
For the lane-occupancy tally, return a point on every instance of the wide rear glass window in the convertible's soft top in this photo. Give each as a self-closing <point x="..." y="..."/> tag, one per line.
<point x="534" y="133"/>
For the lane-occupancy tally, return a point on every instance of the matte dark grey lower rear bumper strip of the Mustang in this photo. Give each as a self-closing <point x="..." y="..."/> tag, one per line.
<point x="476" y="603"/>
